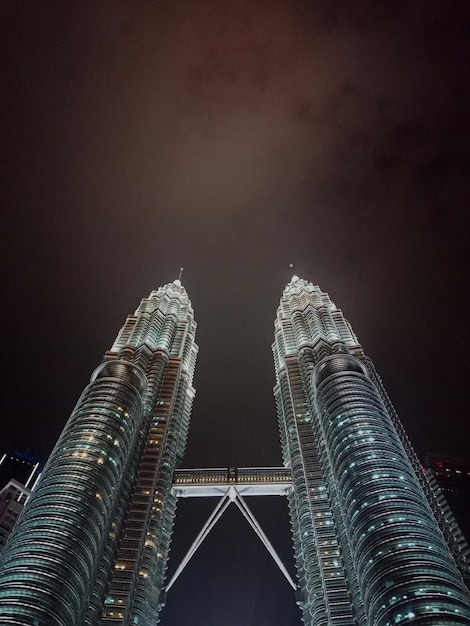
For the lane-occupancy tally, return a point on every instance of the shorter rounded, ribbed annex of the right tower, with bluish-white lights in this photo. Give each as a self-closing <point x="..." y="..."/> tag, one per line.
<point x="402" y="563"/>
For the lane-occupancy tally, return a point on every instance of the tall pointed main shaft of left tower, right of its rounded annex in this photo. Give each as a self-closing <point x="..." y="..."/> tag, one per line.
<point x="160" y="338"/>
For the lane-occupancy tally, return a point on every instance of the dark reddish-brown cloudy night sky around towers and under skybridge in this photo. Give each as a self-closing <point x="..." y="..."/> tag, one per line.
<point x="234" y="138"/>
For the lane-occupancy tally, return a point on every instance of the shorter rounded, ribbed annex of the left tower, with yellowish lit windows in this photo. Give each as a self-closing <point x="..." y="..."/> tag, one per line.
<point x="51" y="561"/>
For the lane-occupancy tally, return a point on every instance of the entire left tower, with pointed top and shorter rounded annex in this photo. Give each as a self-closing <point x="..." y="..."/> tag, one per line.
<point x="92" y="544"/>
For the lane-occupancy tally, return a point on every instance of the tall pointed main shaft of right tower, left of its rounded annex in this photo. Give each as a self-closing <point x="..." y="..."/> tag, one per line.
<point x="326" y="597"/>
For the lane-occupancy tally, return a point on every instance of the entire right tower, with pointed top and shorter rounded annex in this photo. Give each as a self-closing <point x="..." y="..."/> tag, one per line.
<point x="368" y="545"/>
